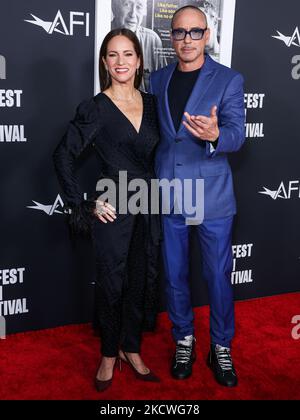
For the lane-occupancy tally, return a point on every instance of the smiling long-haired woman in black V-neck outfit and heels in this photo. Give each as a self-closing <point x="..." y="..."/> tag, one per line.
<point x="121" y="124"/>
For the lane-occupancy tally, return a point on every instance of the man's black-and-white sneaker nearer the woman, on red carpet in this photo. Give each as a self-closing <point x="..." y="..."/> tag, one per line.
<point x="183" y="358"/>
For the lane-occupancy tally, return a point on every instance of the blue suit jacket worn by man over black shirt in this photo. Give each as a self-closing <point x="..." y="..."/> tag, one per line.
<point x="181" y="155"/>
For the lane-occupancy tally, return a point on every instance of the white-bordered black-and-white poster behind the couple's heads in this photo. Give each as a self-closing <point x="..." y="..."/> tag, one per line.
<point x="151" y="22"/>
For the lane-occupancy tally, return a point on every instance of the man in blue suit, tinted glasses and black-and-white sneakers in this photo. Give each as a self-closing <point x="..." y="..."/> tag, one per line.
<point x="202" y="117"/>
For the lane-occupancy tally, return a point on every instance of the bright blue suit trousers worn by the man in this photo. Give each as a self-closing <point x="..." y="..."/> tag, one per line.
<point x="215" y="242"/>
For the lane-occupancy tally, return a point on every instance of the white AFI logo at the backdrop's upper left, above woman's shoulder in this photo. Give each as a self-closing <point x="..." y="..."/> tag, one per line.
<point x="59" y="25"/>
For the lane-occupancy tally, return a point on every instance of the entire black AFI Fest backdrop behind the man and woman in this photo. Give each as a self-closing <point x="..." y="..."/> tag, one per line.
<point x="47" y="68"/>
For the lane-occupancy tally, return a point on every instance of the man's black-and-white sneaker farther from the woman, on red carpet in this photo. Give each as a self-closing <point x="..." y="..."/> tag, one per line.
<point x="220" y="362"/>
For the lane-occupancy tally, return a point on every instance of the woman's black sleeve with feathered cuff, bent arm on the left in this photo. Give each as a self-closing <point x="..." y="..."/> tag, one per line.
<point x="80" y="133"/>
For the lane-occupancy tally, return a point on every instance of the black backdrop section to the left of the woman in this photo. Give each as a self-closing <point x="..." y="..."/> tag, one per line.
<point x="47" y="64"/>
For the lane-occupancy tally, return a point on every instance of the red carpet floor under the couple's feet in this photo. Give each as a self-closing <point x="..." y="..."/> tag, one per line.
<point x="60" y="363"/>
